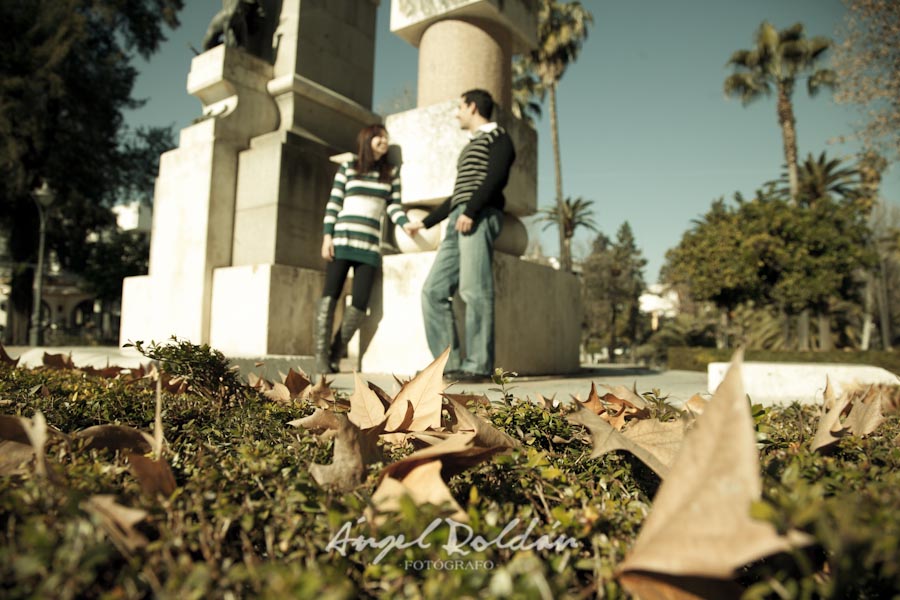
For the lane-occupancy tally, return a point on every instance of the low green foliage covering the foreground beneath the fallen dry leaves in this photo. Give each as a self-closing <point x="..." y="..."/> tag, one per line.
<point x="247" y="519"/>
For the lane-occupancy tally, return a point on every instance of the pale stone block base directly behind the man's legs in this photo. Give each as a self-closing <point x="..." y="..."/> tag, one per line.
<point x="537" y="326"/>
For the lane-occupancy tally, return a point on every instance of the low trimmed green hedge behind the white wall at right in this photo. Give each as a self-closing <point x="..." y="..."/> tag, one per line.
<point x="697" y="359"/>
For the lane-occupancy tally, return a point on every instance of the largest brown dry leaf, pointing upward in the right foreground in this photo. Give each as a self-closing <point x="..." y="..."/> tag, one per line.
<point x="700" y="524"/>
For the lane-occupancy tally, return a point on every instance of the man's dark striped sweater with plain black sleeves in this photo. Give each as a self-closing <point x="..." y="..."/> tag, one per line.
<point x="482" y="172"/>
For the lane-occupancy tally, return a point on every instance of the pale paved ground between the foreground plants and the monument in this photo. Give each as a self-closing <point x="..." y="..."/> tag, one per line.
<point x="678" y="385"/>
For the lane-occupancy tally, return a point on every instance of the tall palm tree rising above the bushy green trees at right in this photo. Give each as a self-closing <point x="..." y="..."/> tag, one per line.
<point x="778" y="60"/>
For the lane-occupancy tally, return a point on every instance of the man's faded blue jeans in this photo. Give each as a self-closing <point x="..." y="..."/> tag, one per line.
<point x="463" y="262"/>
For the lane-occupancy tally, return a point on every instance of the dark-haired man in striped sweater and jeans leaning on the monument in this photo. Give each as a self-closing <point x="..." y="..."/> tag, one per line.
<point x="464" y="258"/>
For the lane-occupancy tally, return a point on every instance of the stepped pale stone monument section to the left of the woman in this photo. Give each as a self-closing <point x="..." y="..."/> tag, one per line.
<point x="234" y="257"/>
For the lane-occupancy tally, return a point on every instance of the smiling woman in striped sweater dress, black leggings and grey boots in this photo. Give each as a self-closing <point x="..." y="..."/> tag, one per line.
<point x="364" y="189"/>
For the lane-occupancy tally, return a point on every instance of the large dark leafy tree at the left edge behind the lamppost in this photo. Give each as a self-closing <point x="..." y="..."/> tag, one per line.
<point x="65" y="79"/>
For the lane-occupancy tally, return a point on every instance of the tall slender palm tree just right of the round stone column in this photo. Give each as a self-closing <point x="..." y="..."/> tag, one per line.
<point x="562" y="29"/>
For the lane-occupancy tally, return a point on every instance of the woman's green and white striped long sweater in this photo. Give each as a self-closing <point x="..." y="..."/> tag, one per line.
<point x="355" y="212"/>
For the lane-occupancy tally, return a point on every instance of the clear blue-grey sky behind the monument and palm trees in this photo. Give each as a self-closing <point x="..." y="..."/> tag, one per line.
<point x="645" y="129"/>
